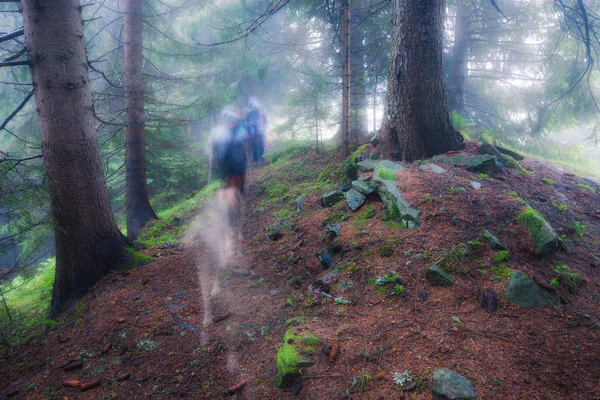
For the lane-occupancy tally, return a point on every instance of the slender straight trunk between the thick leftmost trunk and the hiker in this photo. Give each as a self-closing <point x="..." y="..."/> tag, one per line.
<point x="137" y="205"/>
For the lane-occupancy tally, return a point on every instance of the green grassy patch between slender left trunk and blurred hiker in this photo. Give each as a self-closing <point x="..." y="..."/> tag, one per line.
<point x="173" y="222"/>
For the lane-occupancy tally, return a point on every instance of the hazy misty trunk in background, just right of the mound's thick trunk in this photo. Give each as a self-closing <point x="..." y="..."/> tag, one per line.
<point x="458" y="70"/>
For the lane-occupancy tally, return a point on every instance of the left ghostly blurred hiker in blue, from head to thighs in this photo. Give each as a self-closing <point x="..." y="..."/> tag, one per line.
<point x="227" y="152"/>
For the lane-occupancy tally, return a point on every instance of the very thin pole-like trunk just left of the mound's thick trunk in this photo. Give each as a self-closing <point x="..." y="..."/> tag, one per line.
<point x="345" y="78"/>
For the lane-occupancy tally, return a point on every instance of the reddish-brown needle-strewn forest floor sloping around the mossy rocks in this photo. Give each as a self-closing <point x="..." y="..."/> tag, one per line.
<point x="154" y="332"/>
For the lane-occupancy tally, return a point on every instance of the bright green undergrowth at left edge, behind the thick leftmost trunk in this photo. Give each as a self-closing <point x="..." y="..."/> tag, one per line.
<point x="28" y="303"/>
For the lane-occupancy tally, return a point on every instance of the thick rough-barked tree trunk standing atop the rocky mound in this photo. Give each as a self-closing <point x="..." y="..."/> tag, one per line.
<point x="417" y="122"/>
